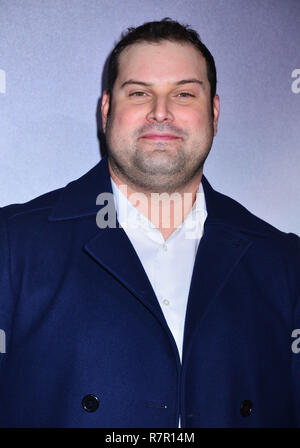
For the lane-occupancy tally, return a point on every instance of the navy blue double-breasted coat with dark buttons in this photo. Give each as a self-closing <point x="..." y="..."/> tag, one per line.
<point x="81" y="317"/>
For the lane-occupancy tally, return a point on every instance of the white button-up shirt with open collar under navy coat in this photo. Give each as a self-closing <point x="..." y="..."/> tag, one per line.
<point x="167" y="263"/>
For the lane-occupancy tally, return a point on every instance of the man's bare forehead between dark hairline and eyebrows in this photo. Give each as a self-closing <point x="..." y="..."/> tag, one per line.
<point x="161" y="62"/>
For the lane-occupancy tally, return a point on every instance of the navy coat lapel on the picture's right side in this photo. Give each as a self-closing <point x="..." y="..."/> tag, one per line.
<point x="228" y="233"/>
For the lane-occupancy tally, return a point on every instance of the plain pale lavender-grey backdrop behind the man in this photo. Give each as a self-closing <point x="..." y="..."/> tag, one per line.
<point x="51" y="58"/>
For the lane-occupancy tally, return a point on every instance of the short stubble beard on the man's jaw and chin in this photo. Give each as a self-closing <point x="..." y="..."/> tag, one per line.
<point x="165" y="168"/>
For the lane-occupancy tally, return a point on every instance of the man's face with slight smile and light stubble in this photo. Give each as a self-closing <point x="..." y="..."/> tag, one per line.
<point x="161" y="126"/>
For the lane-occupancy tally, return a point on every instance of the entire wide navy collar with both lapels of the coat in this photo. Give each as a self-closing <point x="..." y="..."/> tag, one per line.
<point x="229" y="231"/>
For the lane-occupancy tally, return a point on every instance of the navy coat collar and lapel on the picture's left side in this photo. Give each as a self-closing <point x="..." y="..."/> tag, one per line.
<point x="109" y="247"/>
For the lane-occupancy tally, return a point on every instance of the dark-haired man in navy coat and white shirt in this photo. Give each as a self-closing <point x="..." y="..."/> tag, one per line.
<point x="184" y="309"/>
